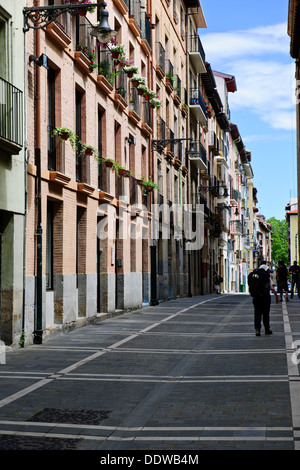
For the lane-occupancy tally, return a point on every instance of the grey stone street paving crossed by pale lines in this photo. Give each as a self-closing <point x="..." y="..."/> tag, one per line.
<point x="186" y="375"/>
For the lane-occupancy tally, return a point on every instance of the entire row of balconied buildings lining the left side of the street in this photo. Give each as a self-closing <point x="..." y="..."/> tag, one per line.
<point x="133" y="185"/>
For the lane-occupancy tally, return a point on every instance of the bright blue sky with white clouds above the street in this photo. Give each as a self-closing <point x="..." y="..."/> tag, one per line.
<point x="249" y="40"/>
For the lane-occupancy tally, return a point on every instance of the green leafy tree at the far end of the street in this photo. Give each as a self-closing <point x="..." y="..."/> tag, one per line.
<point x="280" y="245"/>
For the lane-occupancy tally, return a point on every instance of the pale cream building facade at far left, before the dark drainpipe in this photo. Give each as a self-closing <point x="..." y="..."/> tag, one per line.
<point x="12" y="170"/>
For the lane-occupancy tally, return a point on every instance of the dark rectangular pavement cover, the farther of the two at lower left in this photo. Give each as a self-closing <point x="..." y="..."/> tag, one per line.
<point x="54" y="415"/>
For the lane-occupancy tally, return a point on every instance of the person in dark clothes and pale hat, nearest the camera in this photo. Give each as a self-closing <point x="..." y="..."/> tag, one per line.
<point x="260" y="285"/>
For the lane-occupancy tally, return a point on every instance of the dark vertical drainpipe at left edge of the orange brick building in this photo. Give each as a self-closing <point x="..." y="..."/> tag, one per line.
<point x="38" y="331"/>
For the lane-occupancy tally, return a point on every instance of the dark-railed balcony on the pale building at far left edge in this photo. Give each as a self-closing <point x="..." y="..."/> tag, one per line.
<point x="11" y="118"/>
